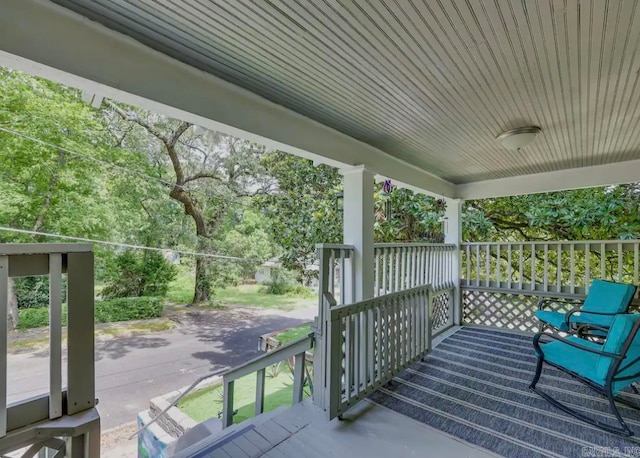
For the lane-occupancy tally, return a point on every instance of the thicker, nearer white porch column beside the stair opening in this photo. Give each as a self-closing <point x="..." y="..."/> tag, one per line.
<point x="358" y="227"/>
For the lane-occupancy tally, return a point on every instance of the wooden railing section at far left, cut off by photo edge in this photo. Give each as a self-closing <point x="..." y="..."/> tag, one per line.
<point x="63" y="421"/>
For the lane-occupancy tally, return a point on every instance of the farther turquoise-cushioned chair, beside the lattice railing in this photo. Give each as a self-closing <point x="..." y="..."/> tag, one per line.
<point x="604" y="301"/>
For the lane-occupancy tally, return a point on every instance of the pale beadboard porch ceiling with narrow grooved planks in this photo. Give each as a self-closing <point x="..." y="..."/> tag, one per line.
<point x="432" y="82"/>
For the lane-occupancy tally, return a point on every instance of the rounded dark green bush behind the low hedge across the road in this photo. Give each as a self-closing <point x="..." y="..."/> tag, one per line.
<point x="135" y="274"/>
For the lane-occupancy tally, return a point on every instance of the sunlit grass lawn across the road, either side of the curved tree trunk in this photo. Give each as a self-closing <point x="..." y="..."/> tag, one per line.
<point x="181" y="292"/>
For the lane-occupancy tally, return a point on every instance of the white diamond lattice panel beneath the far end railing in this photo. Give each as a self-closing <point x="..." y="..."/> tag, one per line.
<point x="505" y="310"/>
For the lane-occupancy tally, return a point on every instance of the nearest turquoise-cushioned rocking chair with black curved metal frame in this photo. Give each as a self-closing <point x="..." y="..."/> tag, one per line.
<point x="606" y="368"/>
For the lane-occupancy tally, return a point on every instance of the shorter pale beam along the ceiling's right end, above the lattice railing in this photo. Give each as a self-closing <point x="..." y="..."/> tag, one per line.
<point x="583" y="177"/>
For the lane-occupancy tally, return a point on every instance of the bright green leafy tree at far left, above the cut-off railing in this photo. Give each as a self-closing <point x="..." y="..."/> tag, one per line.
<point x="47" y="188"/>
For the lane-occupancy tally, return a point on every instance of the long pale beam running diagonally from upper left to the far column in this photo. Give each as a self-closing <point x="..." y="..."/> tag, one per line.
<point x="47" y="40"/>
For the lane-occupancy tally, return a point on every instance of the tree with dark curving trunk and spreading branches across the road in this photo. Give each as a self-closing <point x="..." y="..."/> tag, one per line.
<point x="206" y="172"/>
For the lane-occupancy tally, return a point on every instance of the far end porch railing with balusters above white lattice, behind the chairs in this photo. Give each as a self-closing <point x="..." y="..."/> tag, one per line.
<point x="502" y="281"/>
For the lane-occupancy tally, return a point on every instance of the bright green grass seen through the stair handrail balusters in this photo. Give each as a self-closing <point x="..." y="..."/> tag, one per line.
<point x="206" y="403"/>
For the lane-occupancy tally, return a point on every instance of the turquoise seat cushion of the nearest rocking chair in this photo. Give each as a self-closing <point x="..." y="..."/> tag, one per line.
<point x="576" y="360"/>
